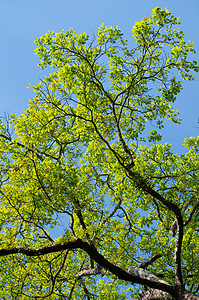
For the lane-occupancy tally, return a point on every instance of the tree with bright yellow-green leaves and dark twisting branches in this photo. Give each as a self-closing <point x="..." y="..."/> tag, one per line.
<point x="86" y="159"/>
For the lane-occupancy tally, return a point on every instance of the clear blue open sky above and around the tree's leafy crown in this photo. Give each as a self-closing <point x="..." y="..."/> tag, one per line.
<point x="22" y="21"/>
